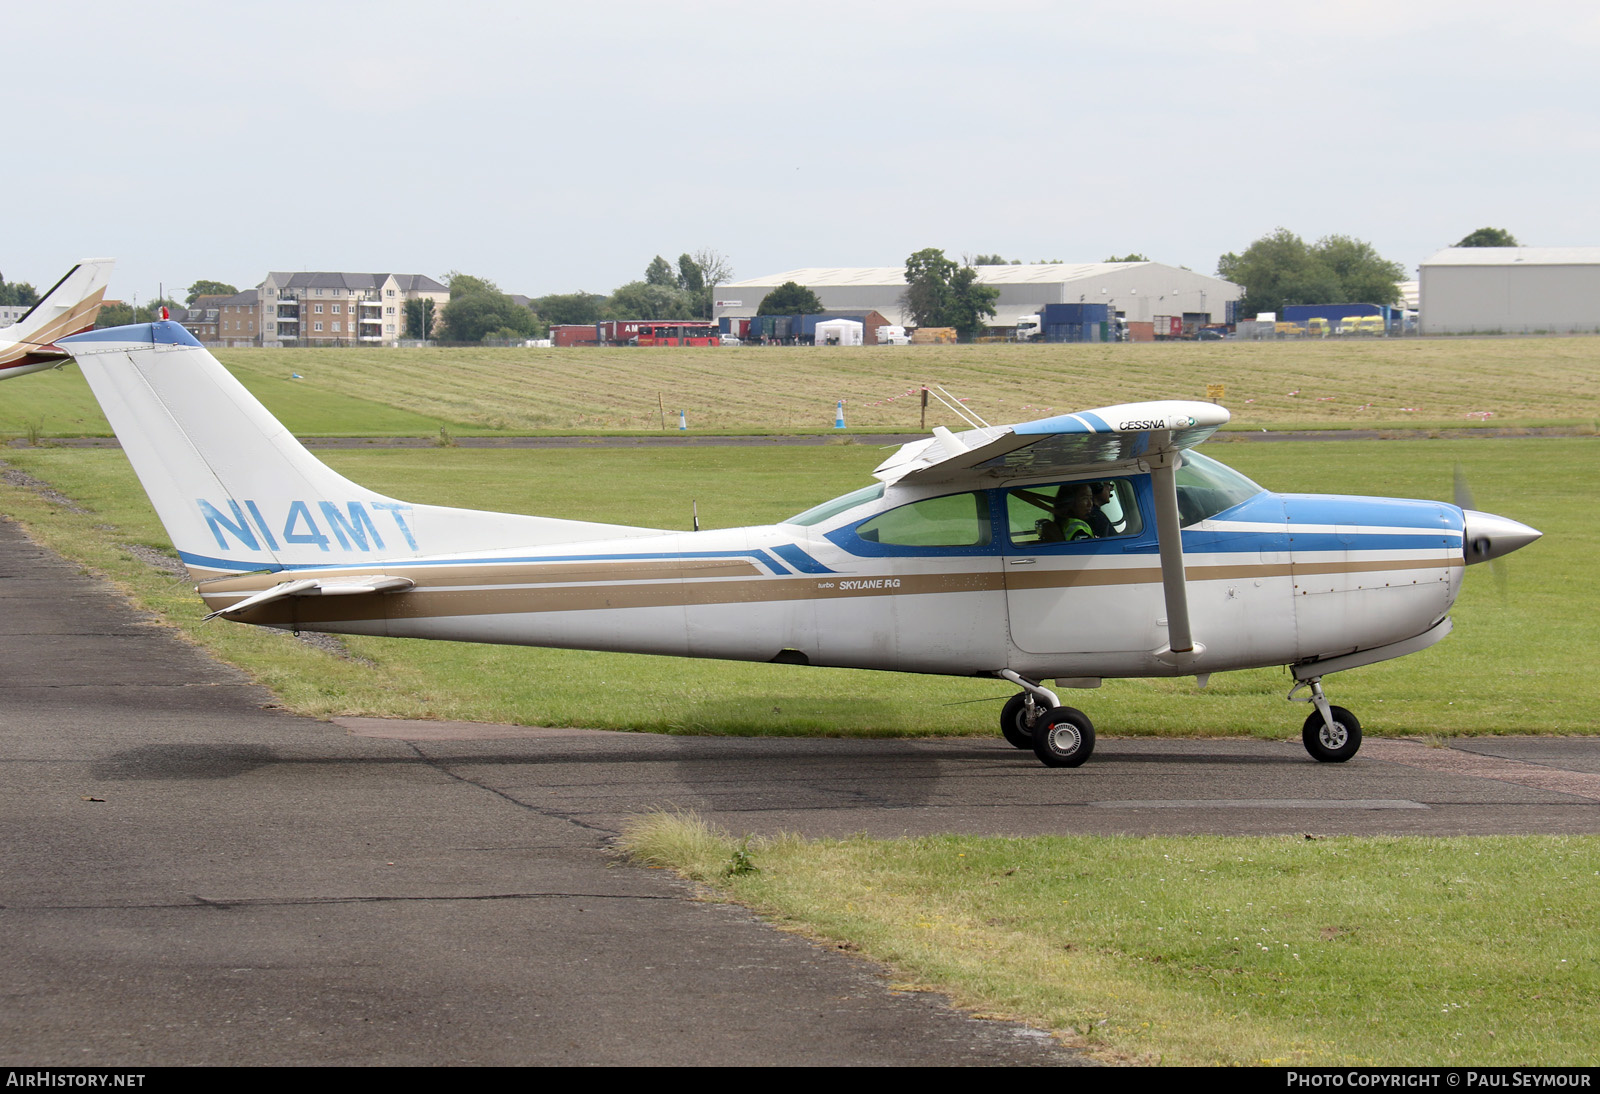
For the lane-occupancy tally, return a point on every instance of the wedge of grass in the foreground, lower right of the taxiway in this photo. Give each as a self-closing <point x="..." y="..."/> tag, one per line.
<point x="1204" y="949"/>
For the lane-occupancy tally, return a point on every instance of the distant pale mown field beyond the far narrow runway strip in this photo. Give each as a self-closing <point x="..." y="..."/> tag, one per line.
<point x="1340" y="385"/>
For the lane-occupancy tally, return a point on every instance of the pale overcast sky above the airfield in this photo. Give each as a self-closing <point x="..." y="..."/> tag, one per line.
<point x="556" y="146"/>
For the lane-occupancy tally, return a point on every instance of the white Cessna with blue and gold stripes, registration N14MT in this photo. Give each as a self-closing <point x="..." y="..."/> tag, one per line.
<point x="1070" y="549"/>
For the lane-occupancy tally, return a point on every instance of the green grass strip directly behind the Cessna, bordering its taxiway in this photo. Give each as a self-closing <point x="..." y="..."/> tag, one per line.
<point x="1519" y="661"/>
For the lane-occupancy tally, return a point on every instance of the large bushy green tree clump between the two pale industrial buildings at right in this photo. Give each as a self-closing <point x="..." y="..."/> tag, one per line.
<point x="1281" y="270"/>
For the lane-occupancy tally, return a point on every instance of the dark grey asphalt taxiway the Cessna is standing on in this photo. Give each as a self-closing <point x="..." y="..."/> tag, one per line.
<point x="191" y="876"/>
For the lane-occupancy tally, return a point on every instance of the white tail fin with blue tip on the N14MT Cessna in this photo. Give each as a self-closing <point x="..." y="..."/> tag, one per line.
<point x="239" y="493"/>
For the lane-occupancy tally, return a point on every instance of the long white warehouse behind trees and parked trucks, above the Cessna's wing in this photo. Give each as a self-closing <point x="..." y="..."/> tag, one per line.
<point x="1140" y="292"/>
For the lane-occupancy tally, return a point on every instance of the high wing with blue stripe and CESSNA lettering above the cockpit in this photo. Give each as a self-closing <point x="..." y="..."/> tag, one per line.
<point x="1063" y="445"/>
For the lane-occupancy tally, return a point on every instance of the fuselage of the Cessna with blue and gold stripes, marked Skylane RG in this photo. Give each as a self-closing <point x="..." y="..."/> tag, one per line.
<point x="1274" y="580"/>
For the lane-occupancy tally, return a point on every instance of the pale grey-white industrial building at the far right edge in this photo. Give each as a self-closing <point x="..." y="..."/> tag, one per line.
<point x="1514" y="290"/>
